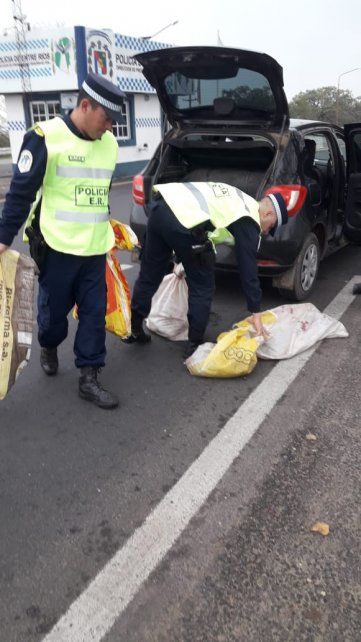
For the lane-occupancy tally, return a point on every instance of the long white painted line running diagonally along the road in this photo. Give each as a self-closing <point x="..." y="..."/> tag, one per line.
<point x="94" y="612"/>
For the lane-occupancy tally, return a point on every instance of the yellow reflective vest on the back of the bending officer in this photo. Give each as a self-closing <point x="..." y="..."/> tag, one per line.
<point x="196" y="203"/>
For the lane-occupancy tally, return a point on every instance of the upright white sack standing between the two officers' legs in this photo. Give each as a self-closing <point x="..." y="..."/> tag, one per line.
<point x="168" y="314"/>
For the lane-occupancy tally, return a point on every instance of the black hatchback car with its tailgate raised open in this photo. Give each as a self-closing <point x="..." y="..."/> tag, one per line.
<point x="227" y="120"/>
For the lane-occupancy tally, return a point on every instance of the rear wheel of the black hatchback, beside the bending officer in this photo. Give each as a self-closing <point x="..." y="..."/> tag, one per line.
<point x="304" y="271"/>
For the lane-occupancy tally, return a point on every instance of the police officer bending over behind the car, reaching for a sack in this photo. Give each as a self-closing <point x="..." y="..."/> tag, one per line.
<point x="182" y="219"/>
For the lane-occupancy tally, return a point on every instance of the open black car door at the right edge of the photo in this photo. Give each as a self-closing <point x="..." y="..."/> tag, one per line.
<point x="352" y="226"/>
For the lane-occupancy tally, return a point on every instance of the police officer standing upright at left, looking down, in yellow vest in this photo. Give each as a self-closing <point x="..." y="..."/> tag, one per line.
<point x="61" y="186"/>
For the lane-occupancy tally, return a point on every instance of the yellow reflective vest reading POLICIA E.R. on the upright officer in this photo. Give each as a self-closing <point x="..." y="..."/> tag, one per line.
<point x="74" y="215"/>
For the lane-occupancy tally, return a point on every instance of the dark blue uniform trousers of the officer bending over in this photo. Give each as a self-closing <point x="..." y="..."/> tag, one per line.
<point x="164" y="235"/>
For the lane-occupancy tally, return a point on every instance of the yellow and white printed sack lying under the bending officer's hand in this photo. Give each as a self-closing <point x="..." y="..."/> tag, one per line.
<point x="234" y="354"/>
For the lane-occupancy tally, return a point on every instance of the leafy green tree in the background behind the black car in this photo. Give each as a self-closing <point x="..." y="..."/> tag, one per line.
<point x="326" y="103"/>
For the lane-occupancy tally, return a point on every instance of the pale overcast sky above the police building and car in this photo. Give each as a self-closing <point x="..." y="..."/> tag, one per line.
<point x="315" y="40"/>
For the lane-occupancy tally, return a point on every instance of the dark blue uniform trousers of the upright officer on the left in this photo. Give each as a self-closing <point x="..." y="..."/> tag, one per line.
<point x="66" y="280"/>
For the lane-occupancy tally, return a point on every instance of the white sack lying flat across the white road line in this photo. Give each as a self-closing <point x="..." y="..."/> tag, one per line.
<point x="298" y="327"/>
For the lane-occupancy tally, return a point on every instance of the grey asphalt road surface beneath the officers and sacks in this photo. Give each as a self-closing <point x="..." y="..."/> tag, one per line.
<point x="78" y="484"/>
